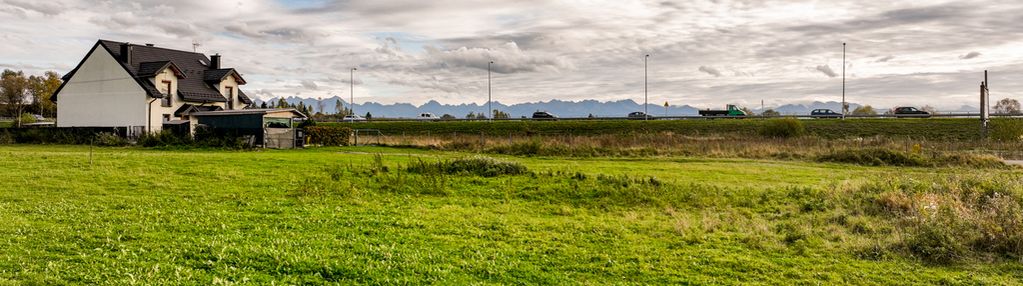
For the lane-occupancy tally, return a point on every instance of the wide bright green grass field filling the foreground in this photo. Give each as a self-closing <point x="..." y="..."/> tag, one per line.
<point x="365" y="215"/>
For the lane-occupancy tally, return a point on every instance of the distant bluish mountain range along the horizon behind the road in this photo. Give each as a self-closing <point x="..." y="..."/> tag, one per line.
<point x="560" y="108"/>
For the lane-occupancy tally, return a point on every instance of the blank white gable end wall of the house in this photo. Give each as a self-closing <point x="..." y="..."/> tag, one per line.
<point x="102" y="94"/>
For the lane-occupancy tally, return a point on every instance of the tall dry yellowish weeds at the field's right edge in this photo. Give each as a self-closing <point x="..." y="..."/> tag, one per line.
<point x="956" y="219"/>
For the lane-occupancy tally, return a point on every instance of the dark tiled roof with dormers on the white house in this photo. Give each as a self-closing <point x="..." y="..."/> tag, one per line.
<point x="192" y="70"/>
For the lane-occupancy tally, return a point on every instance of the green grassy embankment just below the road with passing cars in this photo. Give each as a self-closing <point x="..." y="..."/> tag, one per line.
<point x="931" y="129"/>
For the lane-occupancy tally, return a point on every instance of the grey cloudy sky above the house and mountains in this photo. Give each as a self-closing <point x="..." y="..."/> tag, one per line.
<point x="703" y="53"/>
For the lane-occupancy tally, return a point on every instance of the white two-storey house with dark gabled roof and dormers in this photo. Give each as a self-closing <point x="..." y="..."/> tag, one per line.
<point x="144" y="87"/>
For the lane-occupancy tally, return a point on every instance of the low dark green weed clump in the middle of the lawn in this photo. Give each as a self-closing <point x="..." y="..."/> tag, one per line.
<point x="478" y="166"/>
